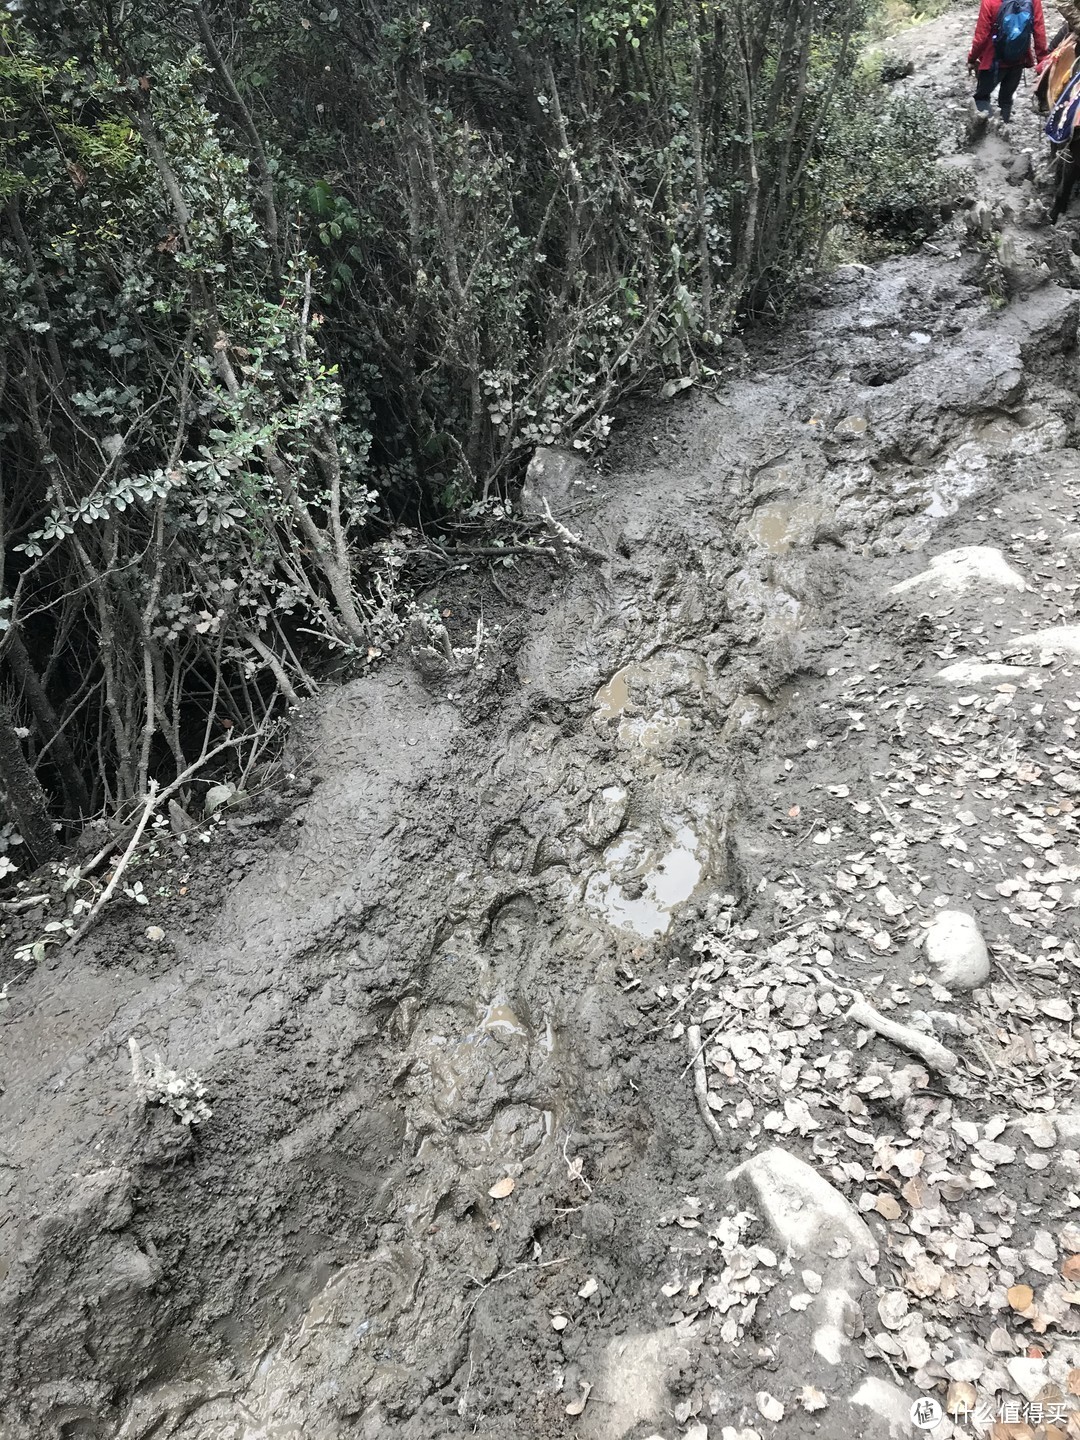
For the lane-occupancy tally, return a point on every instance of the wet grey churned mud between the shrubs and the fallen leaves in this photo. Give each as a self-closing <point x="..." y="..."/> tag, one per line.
<point x="456" y="961"/>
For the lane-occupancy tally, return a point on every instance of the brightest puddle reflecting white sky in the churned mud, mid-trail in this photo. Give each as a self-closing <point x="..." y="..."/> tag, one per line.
<point x="643" y="886"/>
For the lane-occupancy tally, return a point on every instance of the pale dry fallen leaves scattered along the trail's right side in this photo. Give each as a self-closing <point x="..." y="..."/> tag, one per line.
<point x="968" y="1177"/>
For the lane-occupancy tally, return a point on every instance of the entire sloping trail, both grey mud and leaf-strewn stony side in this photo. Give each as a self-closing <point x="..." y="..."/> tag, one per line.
<point x="548" y="1040"/>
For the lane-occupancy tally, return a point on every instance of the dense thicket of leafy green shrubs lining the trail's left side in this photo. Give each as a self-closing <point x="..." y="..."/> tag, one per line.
<point x="277" y="276"/>
